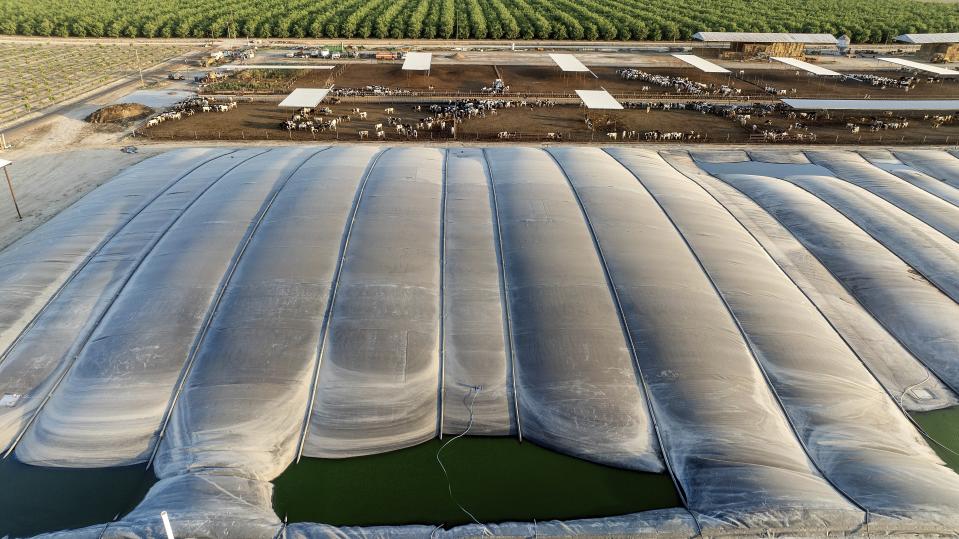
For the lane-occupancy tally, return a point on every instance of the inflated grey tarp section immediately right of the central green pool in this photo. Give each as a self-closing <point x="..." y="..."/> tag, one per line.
<point x="719" y="447"/>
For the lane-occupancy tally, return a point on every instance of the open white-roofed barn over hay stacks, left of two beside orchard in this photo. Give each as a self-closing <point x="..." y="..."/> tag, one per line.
<point x="760" y="45"/>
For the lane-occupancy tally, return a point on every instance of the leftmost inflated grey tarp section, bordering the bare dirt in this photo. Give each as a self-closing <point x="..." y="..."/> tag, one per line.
<point x="59" y="248"/>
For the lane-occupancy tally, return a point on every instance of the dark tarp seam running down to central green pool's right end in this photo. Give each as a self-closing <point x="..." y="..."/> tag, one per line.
<point x="627" y="336"/>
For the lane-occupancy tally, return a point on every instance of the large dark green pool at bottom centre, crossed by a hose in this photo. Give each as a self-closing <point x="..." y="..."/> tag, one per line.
<point x="495" y="479"/>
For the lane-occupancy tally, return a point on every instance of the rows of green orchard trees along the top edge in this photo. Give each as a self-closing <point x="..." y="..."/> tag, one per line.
<point x="874" y="21"/>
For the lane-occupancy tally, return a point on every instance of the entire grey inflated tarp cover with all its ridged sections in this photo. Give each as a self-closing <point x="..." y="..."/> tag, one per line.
<point x="223" y="310"/>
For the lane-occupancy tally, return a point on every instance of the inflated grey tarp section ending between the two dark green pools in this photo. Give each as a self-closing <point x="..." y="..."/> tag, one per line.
<point x="234" y="399"/>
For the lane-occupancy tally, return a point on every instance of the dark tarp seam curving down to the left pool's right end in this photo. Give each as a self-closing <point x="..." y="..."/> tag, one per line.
<point x="221" y="290"/>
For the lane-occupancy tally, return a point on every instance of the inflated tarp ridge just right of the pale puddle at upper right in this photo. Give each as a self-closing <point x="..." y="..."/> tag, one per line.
<point x="925" y="206"/>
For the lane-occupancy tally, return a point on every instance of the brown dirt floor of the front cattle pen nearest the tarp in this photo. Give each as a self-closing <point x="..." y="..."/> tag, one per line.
<point x="264" y="122"/>
